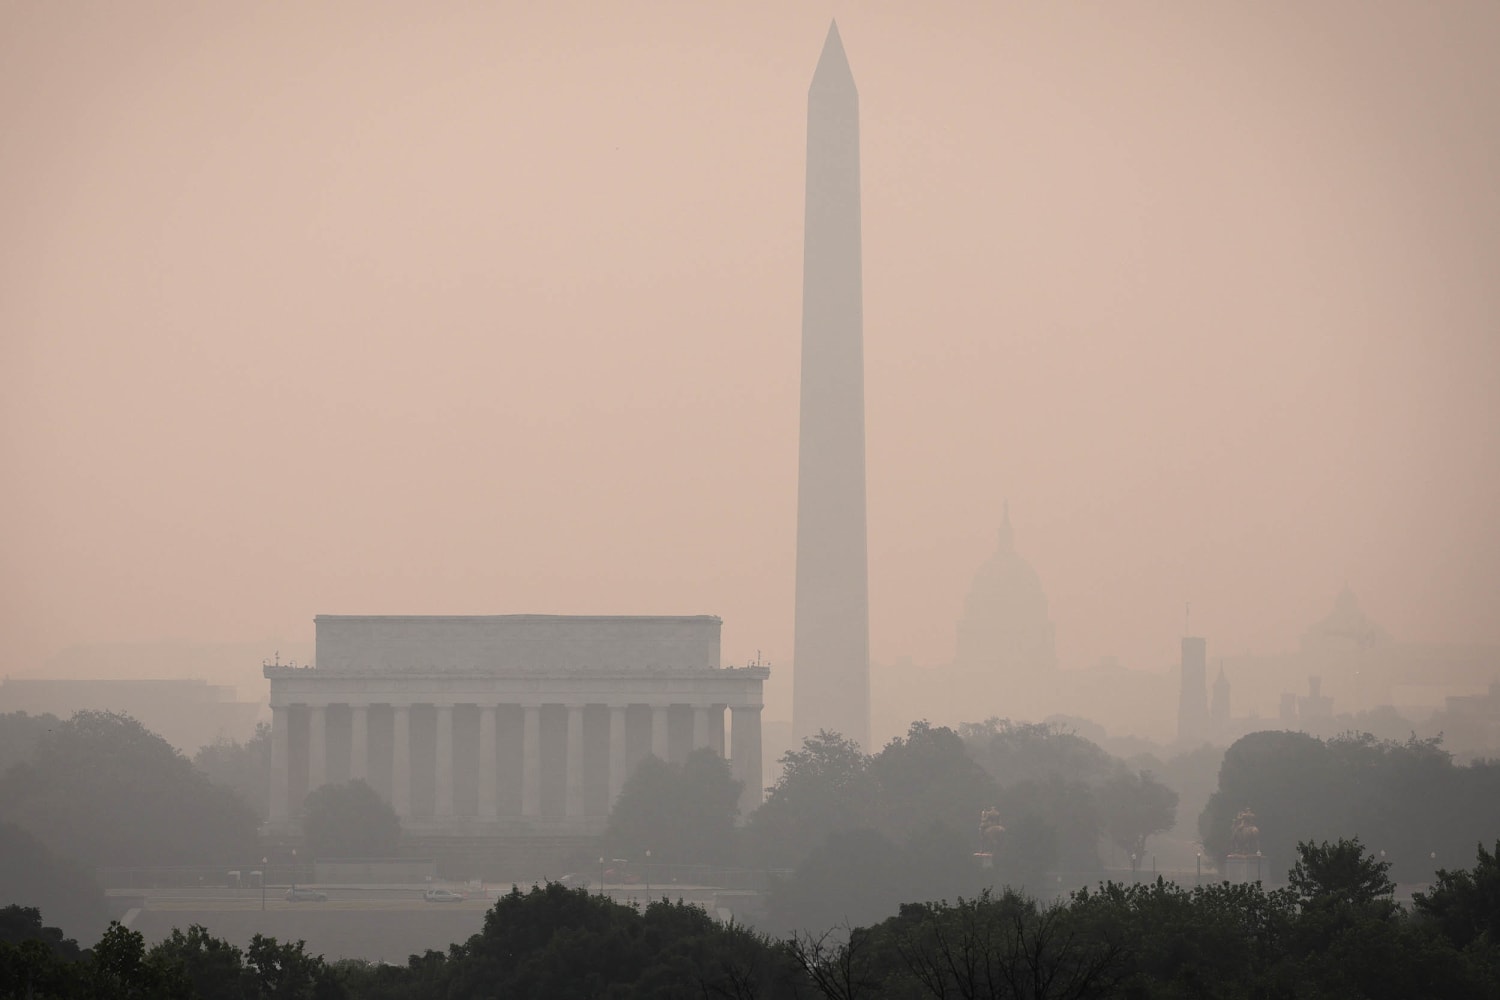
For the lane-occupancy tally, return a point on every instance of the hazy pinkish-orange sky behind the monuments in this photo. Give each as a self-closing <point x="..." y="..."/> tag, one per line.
<point x="355" y="308"/>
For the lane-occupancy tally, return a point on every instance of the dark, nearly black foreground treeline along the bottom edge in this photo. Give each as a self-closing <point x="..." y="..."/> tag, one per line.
<point x="1334" y="932"/>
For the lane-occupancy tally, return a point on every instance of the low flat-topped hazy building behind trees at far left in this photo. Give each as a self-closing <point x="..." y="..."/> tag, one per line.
<point x="185" y="713"/>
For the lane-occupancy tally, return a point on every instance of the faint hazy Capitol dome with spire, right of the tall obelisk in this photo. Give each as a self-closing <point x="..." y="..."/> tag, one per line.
<point x="1006" y="629"/>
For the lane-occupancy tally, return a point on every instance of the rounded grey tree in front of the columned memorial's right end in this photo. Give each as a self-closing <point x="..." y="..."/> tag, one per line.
<point x="682" y="813"/>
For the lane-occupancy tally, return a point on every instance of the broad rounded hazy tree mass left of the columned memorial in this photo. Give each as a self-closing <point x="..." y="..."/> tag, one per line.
<point x="104" y="791"/>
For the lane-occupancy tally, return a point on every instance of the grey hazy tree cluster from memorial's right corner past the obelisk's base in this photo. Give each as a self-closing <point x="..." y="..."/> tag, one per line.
<point x="865" y="833"/>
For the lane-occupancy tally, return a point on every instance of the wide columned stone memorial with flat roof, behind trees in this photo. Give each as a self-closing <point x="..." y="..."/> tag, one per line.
<point x="506" y="725"/>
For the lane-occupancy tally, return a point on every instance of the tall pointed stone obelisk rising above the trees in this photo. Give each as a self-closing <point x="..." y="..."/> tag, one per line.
<point x="832" y="645"/>
